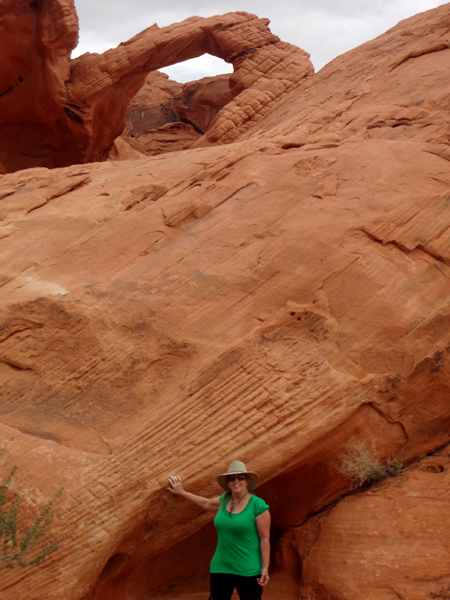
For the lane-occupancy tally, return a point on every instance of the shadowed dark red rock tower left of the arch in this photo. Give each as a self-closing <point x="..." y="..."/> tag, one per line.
<point x="35" y="45"/>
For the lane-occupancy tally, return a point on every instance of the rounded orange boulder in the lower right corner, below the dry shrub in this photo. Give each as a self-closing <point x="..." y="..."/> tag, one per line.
<point x="389" y="542"/>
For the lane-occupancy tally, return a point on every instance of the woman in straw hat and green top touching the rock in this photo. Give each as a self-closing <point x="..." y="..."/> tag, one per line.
<point x="242" y="522"/>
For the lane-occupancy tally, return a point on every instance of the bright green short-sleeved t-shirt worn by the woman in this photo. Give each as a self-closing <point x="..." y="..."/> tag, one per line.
<point x="238" y="549"/>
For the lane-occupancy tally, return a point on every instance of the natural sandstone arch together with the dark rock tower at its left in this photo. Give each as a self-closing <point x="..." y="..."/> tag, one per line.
<point x="57" y="112"/>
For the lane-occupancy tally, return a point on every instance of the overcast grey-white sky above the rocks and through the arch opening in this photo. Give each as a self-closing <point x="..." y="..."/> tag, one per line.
<point x="324" y="28"/>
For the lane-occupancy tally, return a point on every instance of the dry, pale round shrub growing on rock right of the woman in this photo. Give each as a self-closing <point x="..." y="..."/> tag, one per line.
<point x="361" y="464"/>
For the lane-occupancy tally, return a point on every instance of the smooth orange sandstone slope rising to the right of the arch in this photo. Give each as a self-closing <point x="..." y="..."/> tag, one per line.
<point x="392" y="88"/>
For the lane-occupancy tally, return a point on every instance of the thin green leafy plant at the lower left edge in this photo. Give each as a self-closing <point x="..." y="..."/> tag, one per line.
<point x="14" y="551"/>
